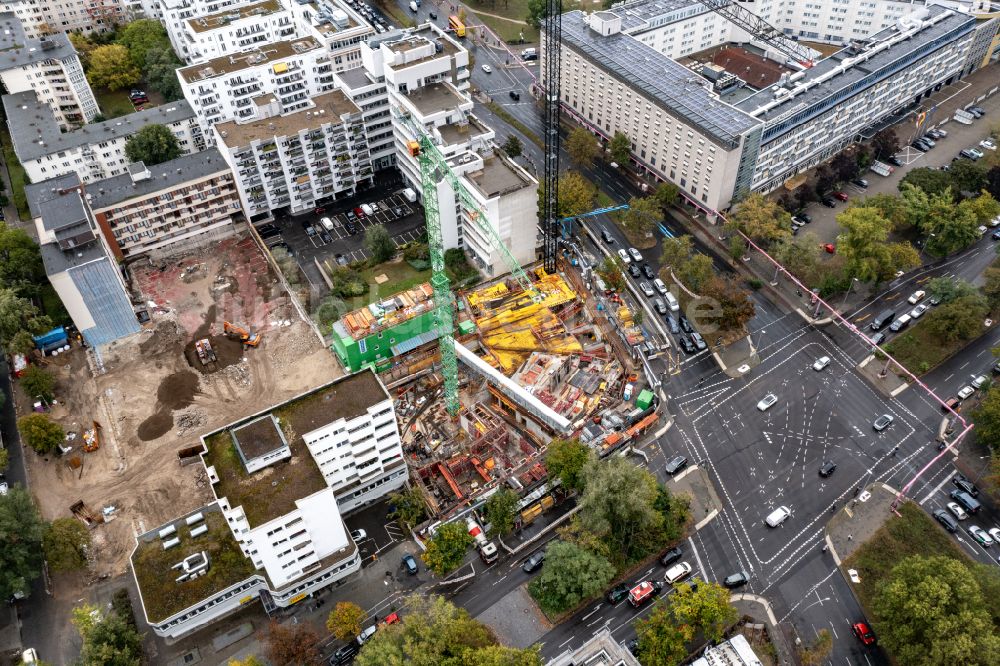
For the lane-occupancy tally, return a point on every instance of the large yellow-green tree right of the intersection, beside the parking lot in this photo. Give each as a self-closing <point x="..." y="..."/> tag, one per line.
<point x="864" y="247"/>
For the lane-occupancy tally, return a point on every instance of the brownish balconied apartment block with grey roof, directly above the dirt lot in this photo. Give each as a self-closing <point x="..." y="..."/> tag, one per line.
<point x="166" y="208"/>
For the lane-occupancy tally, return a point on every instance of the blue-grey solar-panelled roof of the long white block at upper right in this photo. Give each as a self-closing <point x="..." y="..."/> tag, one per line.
<point x="681" y="92"/>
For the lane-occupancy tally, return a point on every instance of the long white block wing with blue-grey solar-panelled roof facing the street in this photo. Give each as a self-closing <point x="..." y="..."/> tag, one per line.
<point x="680" y="130"/>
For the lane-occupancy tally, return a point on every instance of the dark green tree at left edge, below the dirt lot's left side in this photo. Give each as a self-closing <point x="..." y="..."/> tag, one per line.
<point x="21" y="531"/>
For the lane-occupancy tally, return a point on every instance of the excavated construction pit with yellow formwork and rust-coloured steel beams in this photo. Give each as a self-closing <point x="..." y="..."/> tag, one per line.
<point x="533" y="367"/>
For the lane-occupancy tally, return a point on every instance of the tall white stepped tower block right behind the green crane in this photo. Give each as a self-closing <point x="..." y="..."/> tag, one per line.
<point x="426" y="74"/>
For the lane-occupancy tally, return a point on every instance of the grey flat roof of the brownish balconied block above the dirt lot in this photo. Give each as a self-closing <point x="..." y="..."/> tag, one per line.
<point x="165" y="176"/>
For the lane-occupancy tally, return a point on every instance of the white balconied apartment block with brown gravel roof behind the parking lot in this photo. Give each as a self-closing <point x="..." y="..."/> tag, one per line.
<point x="292" y="160"/>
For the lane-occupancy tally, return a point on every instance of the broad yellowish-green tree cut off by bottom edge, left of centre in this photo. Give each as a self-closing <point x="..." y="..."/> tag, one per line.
<point x="435" y="631"/>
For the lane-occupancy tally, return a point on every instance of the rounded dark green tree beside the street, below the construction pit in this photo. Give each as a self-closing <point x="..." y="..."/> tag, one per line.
<point x="570" y="575"/>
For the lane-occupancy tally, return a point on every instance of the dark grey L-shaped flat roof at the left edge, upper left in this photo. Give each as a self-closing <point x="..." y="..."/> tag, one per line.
<point x="36" y="133"/>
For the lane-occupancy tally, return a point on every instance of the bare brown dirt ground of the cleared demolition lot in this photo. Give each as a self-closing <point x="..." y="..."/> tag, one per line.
<point x="153" y="397"/>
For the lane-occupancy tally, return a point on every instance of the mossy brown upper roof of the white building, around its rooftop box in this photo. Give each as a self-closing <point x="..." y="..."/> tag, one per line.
<point x="271" y="492"/>
